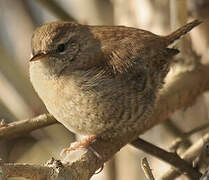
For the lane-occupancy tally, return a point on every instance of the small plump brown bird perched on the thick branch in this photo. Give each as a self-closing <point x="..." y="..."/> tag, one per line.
<point x="100" y="80"/>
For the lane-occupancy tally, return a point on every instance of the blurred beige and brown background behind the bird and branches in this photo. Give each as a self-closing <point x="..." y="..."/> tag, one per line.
<point x="18" y="101"/>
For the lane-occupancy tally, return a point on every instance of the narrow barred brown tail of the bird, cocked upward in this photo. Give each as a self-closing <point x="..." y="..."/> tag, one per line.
<point x="182" y="31"/>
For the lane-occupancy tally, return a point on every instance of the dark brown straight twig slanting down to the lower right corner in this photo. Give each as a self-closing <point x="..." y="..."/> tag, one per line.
<point x="171" y="158"/>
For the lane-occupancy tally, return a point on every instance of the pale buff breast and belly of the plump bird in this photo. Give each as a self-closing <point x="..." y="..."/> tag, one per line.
<point x="88" y="112"/>
